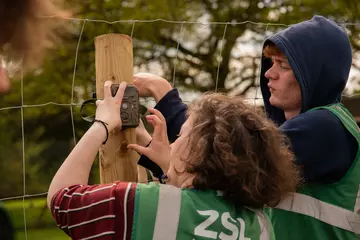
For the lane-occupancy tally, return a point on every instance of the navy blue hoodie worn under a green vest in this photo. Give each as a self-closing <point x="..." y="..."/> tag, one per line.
<point x="320" y="56"/>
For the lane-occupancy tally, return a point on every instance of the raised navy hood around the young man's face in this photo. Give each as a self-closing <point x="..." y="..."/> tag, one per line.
<point x="319" y="53"/>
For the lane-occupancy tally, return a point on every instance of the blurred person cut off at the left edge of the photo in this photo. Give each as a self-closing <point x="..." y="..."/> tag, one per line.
<point x="24" y="37"/>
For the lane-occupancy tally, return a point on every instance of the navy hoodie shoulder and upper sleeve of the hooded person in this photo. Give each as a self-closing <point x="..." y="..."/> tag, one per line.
<point x="322" y="145"/>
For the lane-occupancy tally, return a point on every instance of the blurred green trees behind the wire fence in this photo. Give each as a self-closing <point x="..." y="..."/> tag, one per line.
<point x="195" y="57"/>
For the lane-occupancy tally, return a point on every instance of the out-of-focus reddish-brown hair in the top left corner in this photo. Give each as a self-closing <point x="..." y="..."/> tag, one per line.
<point x="25" y="33"/>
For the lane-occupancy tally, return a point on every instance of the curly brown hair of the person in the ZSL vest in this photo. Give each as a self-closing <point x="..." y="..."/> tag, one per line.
<point x="234" y="148"/>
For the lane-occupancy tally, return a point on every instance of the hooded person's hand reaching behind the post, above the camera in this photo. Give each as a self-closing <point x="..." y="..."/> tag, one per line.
<point x="151" y="85"/>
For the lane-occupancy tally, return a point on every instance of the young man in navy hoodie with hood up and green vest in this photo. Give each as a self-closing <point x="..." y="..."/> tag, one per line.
<point x="304" y="71"/>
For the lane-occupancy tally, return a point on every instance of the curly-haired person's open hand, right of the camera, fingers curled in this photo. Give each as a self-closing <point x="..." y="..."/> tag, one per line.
<point x="159" y="149"/>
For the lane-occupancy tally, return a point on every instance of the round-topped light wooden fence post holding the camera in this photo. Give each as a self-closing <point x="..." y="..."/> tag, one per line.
<point x="114" y="61"/>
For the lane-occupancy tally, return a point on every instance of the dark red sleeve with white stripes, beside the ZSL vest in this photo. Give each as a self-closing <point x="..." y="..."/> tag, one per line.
<point x="95" y="212"/>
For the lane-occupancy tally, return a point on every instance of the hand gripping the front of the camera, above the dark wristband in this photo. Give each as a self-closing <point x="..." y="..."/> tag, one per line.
<point x="108" y="109"/>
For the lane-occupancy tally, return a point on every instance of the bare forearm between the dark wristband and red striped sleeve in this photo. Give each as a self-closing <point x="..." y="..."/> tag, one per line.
<point x="77" y="166"/>
